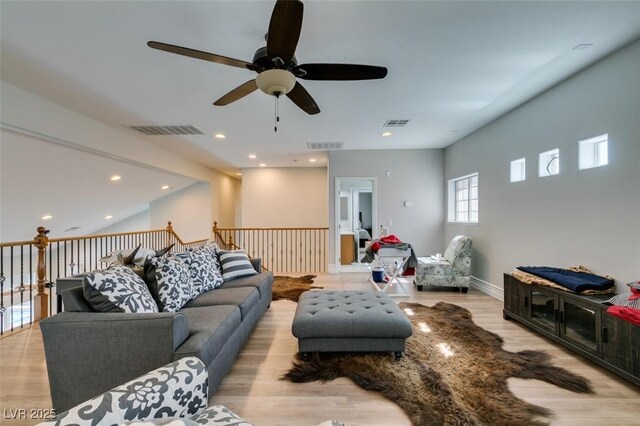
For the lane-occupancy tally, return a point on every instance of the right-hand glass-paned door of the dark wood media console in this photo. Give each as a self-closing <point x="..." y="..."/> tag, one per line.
<point x="580" y="323"/>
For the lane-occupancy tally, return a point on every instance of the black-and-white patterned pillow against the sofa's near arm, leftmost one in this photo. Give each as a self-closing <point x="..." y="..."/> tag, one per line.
<point x="117" y="289"/>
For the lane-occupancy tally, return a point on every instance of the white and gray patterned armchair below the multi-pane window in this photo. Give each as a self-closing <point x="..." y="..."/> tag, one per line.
<point x="452" y="270"/>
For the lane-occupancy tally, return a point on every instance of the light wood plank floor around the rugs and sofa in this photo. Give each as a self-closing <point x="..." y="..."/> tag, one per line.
<point x="253" y="389"/>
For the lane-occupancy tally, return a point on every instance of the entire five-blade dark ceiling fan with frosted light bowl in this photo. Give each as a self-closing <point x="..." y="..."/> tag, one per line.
<point x="276" y="63"/>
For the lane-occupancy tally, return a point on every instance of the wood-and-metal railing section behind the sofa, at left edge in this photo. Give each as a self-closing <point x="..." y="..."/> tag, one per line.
<point x="60" y="257"/>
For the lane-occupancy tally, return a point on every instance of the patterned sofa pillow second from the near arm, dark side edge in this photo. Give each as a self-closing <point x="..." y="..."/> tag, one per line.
<point x="169" y="281"/>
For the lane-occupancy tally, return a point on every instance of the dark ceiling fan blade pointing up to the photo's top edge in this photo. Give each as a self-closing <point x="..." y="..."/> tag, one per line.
<point x="284" y="29"/>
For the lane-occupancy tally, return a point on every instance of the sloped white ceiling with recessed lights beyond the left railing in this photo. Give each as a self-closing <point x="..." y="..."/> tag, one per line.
<point x="75" y="189"/>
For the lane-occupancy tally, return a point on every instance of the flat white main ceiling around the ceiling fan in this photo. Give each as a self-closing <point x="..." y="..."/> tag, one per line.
<point x="453" y="67"/>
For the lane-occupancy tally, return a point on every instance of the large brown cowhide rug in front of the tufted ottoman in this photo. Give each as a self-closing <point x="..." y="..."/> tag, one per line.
<point x="453" y="372"/>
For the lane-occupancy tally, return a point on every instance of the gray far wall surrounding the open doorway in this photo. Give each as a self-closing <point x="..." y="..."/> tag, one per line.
<point x="416" y="176"/>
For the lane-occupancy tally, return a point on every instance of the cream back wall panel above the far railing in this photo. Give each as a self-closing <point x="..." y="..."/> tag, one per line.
<point x="284" y="197"/>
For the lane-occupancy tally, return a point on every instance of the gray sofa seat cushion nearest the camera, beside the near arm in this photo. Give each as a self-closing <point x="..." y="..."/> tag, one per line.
<point x="210" y="328"/>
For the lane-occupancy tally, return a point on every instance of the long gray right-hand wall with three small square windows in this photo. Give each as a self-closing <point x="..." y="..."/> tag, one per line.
<point x="587" y="217"/>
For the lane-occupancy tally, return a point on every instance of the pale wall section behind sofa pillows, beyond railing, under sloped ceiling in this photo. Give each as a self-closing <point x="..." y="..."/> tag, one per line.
<point x="189" y="211"/>
